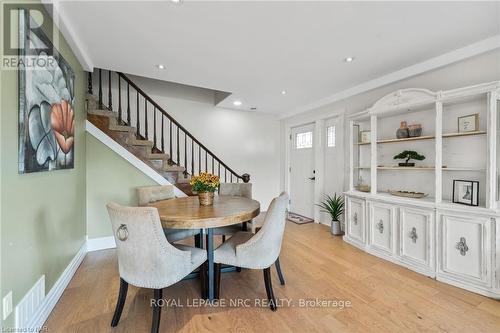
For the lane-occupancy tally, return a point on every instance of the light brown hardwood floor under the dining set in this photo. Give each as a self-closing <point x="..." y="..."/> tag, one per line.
<point x="316" y="265"/>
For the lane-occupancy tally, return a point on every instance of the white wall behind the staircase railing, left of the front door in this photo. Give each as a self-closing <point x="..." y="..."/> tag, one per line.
<point x="247" y="141"/>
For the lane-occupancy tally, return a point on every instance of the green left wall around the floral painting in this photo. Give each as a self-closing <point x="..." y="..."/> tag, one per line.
<point x="42" y="215"/>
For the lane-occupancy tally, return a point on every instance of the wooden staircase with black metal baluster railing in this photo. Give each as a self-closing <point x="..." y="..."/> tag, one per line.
<point x="134" y="120"/>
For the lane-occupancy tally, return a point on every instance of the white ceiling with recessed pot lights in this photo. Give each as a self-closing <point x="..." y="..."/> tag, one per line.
<point x="257" y="49"/>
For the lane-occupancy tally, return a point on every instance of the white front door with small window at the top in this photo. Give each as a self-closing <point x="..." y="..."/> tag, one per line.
<point x="302" y="171"/>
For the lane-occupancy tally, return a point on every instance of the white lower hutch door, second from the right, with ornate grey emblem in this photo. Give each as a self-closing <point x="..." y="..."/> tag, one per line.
<point x="415" y="235"/>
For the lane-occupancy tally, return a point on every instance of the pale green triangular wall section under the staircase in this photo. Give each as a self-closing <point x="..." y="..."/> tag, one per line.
<point x="109" y="178"/>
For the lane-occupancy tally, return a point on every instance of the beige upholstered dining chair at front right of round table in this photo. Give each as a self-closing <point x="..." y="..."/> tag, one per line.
<point x="256" y="251"/>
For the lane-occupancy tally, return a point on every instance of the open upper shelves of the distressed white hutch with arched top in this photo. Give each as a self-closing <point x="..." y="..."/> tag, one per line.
<point x="450" y="154"/>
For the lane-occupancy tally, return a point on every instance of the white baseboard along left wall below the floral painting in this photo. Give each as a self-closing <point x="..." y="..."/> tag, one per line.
<point x="35" y="324"/>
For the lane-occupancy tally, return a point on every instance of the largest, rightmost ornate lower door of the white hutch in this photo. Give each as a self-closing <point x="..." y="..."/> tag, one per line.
<point x="465" y="248"/>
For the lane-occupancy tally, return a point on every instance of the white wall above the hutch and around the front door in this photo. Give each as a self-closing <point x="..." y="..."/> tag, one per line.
<point x="475" y="70"/>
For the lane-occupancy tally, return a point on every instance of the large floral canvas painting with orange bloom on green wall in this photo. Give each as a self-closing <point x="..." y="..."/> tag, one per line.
<point x="46" y="99"/>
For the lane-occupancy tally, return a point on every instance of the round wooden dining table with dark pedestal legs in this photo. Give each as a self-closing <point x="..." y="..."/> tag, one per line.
<point x="187" y="213"/>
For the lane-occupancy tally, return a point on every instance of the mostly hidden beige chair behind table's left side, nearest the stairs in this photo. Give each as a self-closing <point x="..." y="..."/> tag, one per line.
<point x="150" y="194"/>
